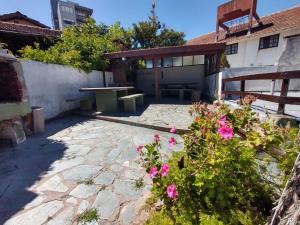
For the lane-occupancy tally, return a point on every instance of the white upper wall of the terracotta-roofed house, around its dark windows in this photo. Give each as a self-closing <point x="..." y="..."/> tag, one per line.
<point x="250" y="56"/>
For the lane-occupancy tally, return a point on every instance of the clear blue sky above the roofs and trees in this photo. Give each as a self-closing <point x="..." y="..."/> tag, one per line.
<point x="194" y="17"/>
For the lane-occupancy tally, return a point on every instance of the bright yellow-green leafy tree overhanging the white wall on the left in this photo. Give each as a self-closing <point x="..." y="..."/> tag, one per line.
<point x="81" y="46"/>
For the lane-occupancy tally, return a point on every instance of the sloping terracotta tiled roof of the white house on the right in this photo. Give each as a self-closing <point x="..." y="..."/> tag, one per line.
<point x="271" y="24"/>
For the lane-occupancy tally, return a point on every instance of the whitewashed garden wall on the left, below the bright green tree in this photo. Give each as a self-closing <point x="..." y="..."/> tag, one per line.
<point x="50" y="85"/>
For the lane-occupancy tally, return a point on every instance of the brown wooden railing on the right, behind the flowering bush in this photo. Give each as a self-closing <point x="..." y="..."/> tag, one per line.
<point x="282" y="100"/>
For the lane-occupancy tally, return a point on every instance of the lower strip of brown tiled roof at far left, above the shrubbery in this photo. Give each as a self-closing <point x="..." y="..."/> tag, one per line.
<point x="29" y="30"/>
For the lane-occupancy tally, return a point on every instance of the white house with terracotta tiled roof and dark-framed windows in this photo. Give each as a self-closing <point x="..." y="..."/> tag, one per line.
<point x="264" y="45"/>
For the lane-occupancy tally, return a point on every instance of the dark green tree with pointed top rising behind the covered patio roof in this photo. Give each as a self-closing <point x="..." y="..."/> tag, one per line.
<point x="152" y="33"/>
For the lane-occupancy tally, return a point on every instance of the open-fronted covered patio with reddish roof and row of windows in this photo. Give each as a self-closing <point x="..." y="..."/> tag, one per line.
<point x="177" y="66"/>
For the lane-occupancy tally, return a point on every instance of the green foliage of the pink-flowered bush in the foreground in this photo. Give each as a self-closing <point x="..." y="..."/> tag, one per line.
<point x="219" y="180"/>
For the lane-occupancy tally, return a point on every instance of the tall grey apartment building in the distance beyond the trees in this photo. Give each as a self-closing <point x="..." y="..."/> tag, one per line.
<point x="67" y="13"/>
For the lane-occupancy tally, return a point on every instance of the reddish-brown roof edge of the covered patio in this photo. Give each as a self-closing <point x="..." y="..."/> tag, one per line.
<point x="184" y="50"/>
